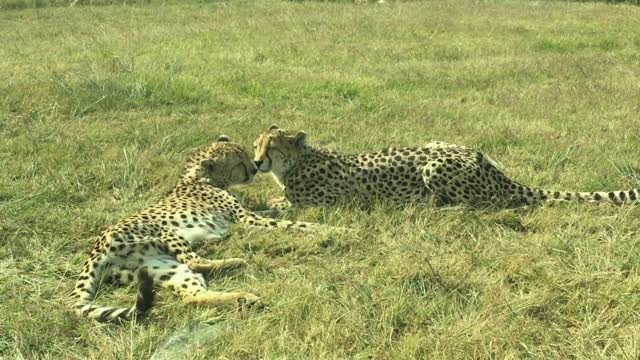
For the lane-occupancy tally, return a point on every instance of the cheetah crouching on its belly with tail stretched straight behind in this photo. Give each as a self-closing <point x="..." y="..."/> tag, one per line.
<point x="441" y="172"/>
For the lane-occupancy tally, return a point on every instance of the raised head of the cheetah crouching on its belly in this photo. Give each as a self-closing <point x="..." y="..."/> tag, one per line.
<point x="276" y="149"/>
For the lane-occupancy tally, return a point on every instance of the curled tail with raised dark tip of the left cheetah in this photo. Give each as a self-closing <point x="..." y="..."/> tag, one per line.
<point x="144" y="302"/>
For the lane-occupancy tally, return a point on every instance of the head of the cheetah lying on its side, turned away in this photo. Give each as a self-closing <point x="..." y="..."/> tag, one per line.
<point x="223" y="164"/>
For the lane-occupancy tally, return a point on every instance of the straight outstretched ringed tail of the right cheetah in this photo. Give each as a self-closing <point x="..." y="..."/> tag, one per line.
<point x="618" y="197"/>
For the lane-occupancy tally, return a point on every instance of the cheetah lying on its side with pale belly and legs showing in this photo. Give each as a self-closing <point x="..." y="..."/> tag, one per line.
<point x="154" y="245"/>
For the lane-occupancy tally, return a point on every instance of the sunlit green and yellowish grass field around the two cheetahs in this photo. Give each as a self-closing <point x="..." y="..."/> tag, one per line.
<point x="100" y="105"/>
